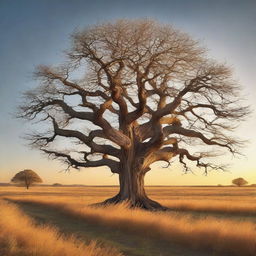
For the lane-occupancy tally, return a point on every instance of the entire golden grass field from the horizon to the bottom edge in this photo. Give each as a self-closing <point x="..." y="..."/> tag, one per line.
<point x="62" y="221"/>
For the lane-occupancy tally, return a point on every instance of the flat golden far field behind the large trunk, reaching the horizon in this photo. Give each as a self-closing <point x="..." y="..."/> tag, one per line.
<point x="201" y="199"/>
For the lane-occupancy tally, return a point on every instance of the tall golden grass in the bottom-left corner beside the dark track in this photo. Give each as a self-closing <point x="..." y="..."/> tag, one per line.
<point x="20" y="236"/>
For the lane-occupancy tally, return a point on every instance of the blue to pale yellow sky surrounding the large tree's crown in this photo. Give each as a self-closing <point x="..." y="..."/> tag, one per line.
<point x="37" y="32"/>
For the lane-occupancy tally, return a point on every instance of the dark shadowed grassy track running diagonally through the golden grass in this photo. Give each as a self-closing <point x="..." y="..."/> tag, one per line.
<point x="129" y="243"/>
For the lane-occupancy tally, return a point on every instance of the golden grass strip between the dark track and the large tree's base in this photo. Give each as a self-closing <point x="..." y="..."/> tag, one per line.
<point x="223" y="236"/>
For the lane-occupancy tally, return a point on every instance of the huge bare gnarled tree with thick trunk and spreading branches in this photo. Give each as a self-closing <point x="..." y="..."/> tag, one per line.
<point x="134" y="92"/>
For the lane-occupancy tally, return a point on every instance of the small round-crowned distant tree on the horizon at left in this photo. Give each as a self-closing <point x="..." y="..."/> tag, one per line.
<point x="26" y="177"/>
